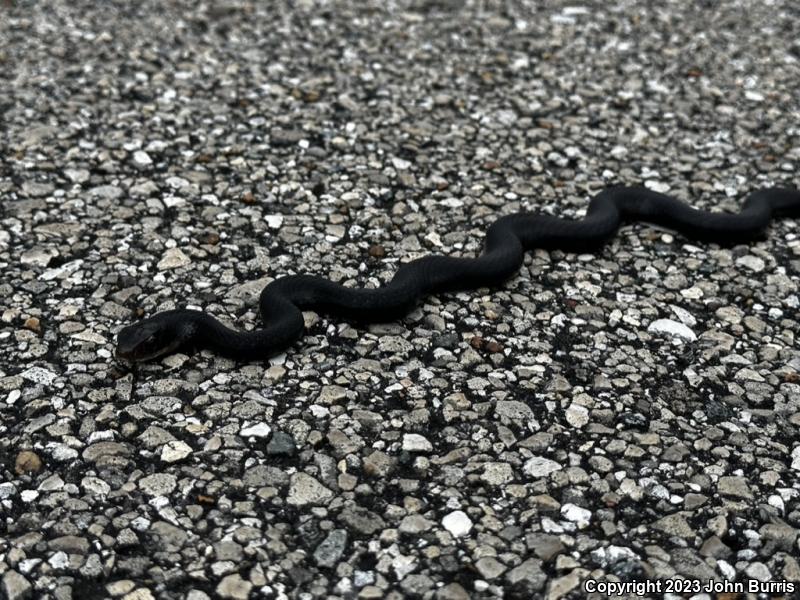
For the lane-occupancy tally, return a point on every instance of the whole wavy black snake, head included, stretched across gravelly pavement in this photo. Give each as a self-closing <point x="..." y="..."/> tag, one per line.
<point x="283" y="300"/>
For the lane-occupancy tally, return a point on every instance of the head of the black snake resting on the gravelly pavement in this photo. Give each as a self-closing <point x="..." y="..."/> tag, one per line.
<point x="151" y="338"/>
